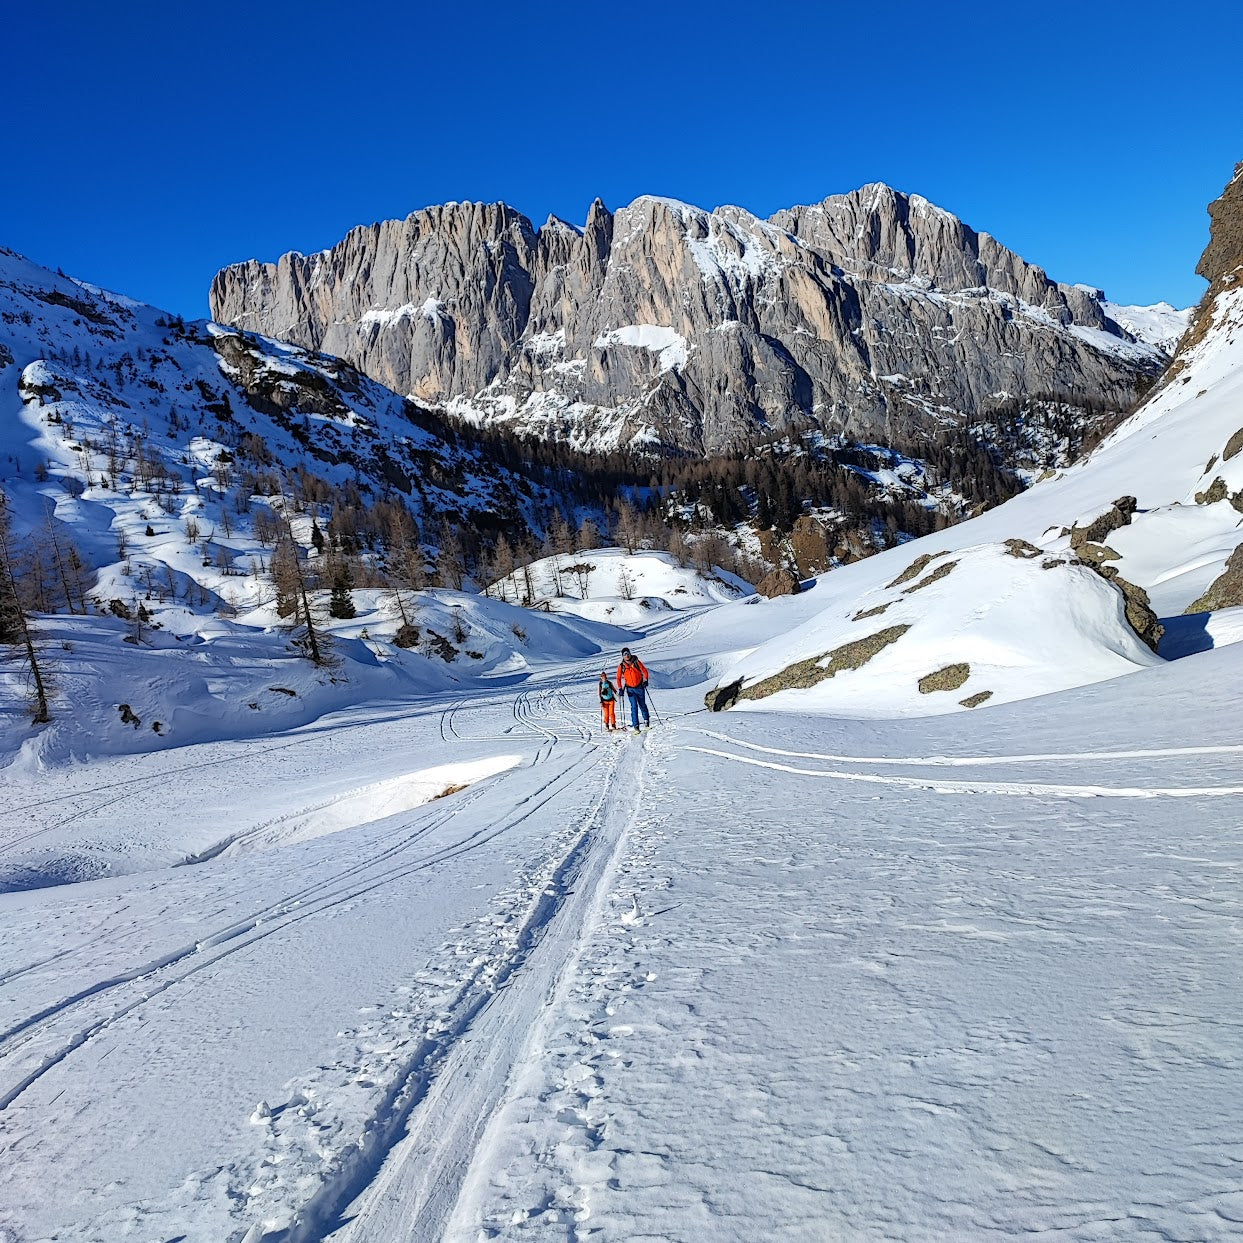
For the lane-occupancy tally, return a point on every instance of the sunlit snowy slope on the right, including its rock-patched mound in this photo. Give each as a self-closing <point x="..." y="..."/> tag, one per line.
<point x="1179" y="457"/>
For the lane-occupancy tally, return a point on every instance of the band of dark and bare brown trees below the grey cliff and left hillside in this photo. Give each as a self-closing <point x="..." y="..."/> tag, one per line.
<point x="369" y="535"/>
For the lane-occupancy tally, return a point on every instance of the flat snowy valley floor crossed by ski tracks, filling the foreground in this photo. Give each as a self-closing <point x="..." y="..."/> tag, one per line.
<point x="749" y="976"/>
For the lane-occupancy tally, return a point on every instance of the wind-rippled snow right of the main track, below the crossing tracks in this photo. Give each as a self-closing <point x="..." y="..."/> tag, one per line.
<point x="971" y="1034"/>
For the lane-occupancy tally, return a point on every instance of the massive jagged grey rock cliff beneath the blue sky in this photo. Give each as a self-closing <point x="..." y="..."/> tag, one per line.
<point x="682" y="330"/>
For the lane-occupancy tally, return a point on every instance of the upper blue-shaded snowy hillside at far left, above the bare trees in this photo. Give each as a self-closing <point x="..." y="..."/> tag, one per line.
<point x="120" y="371"/>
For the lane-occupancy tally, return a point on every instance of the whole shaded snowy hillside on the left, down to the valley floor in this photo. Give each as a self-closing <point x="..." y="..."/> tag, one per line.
<point x="166" y="456"/>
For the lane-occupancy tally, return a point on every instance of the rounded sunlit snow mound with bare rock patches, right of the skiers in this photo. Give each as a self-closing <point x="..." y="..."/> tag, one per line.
<point x="980" y="625"/>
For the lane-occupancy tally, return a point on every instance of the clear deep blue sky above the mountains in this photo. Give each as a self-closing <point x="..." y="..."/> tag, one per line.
<point x="147" y="145"/>
